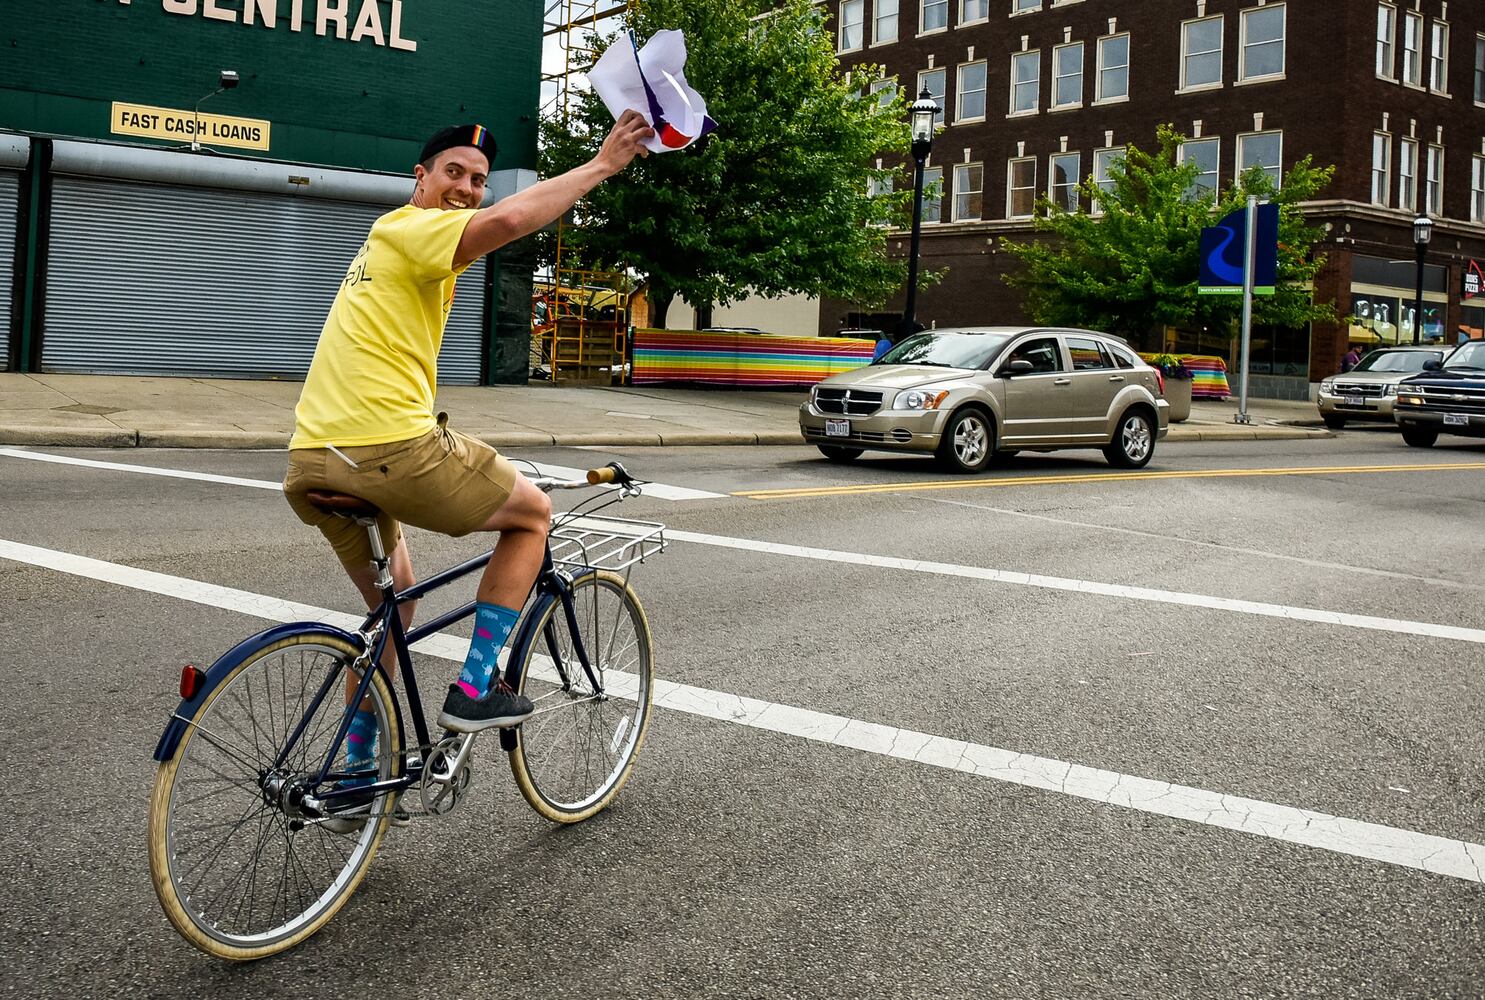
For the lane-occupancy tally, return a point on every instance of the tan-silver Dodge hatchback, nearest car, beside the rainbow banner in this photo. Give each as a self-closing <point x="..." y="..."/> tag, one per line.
<point x="970" y="395"/>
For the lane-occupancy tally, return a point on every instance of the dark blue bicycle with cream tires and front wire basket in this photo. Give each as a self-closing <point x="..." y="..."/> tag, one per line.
<point x="253" y="840"/>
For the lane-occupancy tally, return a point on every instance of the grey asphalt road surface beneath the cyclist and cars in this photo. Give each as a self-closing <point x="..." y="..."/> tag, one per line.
<point x="1122" y="631"/>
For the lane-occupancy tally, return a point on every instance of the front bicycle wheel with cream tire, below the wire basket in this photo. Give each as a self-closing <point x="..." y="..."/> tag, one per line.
<point x="575" y="753"/>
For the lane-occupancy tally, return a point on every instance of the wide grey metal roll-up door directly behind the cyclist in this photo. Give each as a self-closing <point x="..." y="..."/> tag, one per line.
<point x="163" y="280"/>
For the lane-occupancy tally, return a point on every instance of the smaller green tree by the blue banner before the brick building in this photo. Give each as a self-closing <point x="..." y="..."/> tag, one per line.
<point x="1135" y="267"/>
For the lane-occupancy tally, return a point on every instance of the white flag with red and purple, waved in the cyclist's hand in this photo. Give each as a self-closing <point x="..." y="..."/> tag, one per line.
<point x="653" y="82"/>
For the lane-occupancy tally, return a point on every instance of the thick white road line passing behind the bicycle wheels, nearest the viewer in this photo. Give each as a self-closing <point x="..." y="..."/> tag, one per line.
<point x="1357" y="839"/>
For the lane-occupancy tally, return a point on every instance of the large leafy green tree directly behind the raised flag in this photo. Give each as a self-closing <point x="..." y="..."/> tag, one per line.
<point x="776" y="201"/>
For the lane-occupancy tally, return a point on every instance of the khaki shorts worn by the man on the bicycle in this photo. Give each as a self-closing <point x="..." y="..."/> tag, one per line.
<point x="442" y="482"/>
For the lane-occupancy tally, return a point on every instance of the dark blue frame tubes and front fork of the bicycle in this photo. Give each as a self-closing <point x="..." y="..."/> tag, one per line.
<point x="384" y="623"/>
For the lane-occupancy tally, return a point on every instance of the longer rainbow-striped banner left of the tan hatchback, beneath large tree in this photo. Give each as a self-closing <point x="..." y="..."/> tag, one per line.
<point x="752" y="360"/>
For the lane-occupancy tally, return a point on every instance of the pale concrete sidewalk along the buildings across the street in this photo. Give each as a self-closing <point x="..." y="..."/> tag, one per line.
<point x="100" y="411"/>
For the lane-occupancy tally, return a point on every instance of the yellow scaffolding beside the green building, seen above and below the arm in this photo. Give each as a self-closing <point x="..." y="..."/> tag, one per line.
<point x="580" y="317"/>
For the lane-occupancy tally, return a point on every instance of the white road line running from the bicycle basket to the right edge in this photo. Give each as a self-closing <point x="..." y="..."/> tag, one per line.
<point x="1092" y="588"/>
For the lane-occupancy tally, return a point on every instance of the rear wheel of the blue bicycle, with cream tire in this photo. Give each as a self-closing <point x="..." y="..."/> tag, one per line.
<point x="177" y="851"/>
